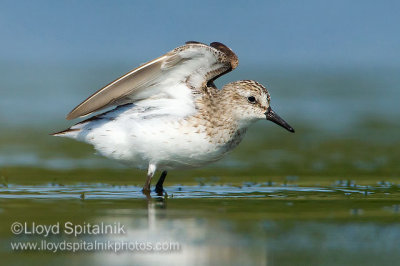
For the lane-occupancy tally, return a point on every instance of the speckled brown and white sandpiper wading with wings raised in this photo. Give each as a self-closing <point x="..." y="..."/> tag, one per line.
<point x="170" y="115"/>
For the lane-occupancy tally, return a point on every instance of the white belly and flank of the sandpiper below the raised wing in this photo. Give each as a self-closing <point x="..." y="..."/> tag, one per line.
<point x="142" y="134"/>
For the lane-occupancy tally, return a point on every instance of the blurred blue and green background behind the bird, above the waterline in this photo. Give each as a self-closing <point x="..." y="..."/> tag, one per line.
<point x="332" y="68"/>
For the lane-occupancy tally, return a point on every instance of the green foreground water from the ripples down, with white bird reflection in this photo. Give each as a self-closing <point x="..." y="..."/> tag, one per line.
<point x="282" y="222"/>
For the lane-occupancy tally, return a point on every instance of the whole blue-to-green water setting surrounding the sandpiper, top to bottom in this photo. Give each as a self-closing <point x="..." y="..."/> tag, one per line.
<point x="326" y="195"/>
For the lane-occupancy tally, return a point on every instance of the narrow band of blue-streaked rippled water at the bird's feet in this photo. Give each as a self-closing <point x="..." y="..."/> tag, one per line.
<point x="247" y="190"/>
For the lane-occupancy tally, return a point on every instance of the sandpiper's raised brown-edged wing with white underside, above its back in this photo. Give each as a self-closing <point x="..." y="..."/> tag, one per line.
<point x="179" y="73"/>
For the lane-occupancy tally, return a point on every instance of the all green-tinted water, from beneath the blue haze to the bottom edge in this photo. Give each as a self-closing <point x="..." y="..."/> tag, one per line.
<point x="311" y="198"/>
